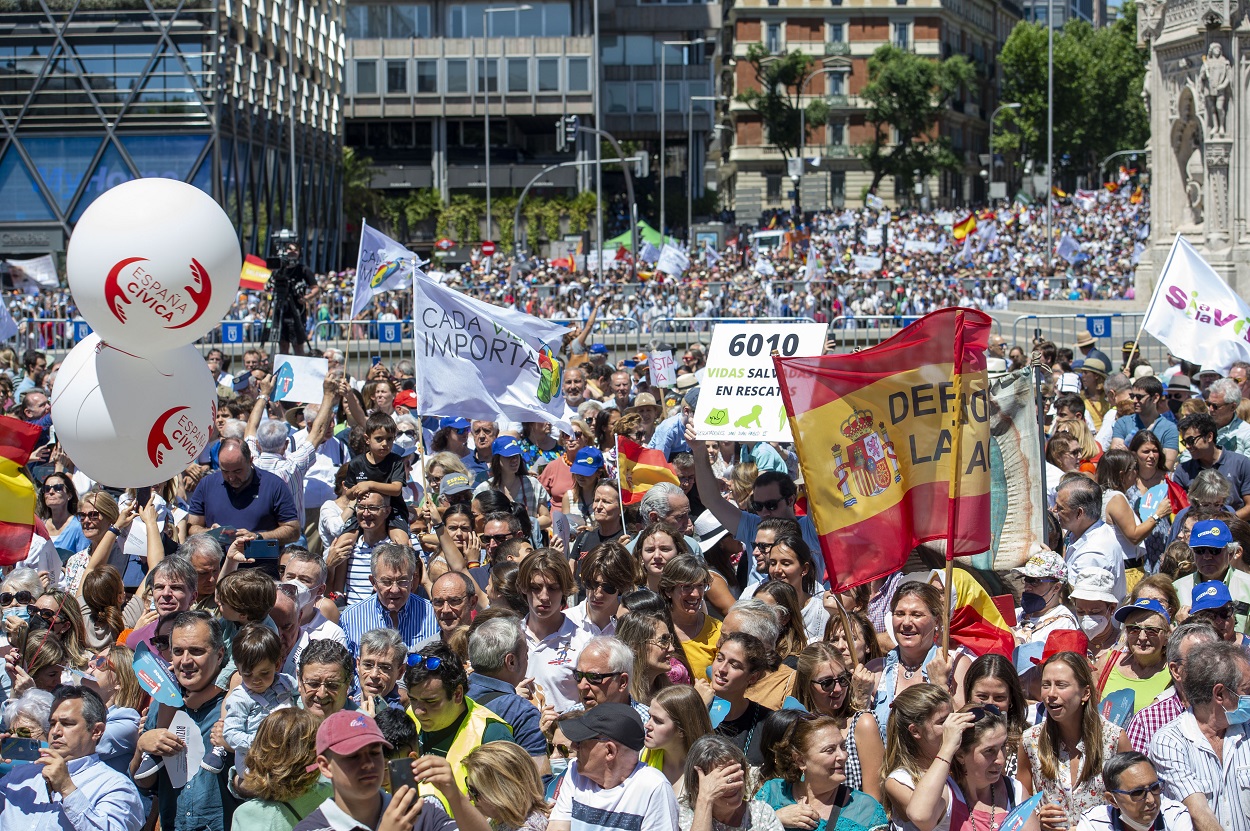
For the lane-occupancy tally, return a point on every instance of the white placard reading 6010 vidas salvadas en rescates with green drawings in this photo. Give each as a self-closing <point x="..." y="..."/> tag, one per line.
<point x="741" y="399"/>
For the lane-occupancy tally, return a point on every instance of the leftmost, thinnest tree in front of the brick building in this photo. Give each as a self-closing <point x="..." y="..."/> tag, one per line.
<point x="776" y="98"/>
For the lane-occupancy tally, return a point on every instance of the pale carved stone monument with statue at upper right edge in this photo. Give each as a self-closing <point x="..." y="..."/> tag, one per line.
<point x="1198" y="77"/>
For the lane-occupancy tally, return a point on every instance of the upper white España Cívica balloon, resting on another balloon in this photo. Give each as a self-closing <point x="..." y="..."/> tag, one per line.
<point x="154" y="264"/>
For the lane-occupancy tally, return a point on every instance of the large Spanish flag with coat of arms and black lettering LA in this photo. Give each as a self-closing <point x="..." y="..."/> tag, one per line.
<point x="894" y="444"/>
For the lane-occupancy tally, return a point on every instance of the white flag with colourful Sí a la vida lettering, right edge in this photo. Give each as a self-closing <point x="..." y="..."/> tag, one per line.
<point x="1196" y="314"/>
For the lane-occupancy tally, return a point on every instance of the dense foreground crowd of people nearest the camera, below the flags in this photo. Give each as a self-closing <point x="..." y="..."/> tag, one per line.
<point x="377" y="620"/>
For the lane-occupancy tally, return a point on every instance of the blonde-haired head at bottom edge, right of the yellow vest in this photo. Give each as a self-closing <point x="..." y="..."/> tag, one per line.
<point x="504" y="785"/>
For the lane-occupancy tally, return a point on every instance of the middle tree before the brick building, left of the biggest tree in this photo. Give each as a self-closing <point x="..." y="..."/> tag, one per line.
<point x="907" y="96"/>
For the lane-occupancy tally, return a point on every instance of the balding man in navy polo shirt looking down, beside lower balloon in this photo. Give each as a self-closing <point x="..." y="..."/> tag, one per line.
<point x="246" y="498"/>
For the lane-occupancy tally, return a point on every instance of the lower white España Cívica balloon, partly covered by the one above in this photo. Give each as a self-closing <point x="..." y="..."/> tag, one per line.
<point x="133" y="422"/>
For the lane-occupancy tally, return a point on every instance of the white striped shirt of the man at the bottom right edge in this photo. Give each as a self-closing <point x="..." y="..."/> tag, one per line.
<point x="1188" y="765"/>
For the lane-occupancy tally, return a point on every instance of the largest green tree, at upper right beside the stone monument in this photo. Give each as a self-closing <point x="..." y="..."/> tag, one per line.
<point x="1098" y="93"/>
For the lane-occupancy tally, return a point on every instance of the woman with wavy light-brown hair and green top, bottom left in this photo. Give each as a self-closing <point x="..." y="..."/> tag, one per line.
<point x="283" y="790"/>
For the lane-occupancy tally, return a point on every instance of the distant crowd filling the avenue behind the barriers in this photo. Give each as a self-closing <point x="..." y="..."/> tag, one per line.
<point x="923" y="268"/>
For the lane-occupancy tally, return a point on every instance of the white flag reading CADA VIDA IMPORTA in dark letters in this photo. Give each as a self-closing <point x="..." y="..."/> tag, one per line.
<point x="482" y="362"/>
